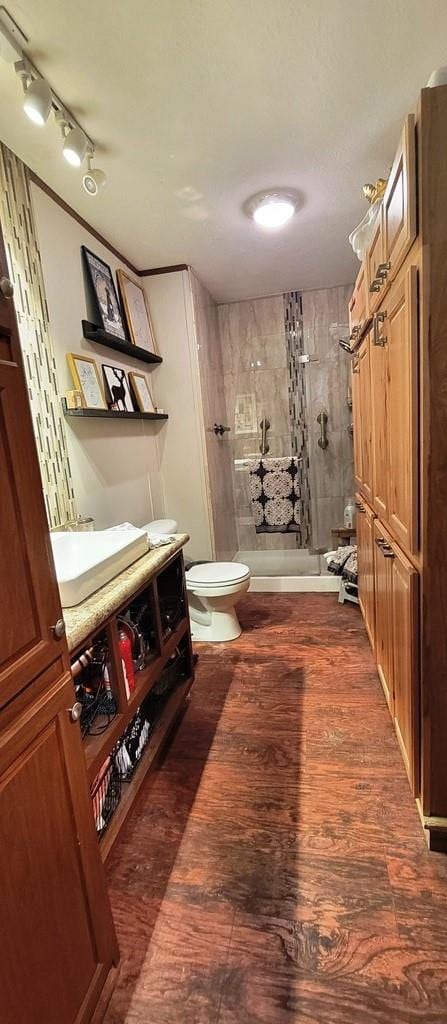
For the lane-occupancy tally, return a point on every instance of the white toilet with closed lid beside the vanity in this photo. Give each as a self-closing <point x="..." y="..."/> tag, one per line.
<point x="214" y="589"/>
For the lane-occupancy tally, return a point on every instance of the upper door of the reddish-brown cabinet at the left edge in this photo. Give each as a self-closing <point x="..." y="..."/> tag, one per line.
<point x="29" y="596"/>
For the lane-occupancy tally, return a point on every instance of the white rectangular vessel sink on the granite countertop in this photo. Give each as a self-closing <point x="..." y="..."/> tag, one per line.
<point x="86" y="562"/>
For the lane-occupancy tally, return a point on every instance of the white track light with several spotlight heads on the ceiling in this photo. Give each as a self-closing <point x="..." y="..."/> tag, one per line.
<point x="40" y="100"/>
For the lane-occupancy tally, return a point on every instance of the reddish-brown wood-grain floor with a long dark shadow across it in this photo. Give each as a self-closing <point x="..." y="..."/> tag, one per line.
<point x="275" y="870"/>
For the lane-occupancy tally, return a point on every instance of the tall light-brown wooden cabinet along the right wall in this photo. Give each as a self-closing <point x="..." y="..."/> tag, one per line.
<point x="400" y="432"/>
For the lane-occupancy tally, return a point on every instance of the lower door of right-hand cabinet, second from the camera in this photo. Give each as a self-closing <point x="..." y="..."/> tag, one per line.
<point x="384" y="614"/>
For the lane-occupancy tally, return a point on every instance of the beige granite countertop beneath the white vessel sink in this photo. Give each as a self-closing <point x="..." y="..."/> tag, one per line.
<point x="92" y="614"/>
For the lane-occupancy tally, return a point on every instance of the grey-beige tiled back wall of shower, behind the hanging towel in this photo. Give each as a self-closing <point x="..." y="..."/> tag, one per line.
<point x="264" y="376"/>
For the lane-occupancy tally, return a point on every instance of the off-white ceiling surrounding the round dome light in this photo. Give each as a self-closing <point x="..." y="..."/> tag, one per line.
<point x="196" y="105"/>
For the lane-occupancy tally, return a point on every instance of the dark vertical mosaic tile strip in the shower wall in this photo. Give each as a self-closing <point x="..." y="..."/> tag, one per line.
<point x="298" y="407"/>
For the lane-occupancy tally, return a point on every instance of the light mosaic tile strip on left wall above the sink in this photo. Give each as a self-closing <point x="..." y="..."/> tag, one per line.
<point x="26" y="272"/>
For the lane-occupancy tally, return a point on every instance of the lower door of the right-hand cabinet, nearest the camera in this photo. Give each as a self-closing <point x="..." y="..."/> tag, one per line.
<point x="406" y="664"/>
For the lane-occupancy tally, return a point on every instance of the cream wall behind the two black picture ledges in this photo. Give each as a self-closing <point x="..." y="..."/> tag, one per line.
<point x="115" y="466"/>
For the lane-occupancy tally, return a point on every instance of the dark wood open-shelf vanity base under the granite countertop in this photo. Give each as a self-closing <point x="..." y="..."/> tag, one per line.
<point x="164" y="681"/>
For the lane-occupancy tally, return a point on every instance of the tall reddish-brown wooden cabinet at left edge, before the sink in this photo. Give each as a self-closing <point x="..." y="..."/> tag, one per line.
<point x="56" y="920"/>
